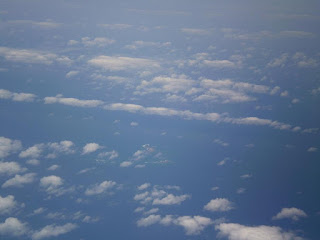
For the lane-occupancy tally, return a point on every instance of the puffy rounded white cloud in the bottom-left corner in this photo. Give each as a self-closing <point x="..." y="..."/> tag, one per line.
<point x="13" y="227"/>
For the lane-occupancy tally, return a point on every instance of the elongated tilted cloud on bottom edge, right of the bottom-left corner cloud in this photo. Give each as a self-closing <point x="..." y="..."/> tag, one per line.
<point x="53" y="231"/>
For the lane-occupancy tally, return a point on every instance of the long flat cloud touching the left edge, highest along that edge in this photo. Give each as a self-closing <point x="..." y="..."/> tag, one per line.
<point x="32" y="56"/>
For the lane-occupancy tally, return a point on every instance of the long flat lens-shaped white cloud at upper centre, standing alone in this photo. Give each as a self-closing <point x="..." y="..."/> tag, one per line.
<point x="115" y="63"/>
